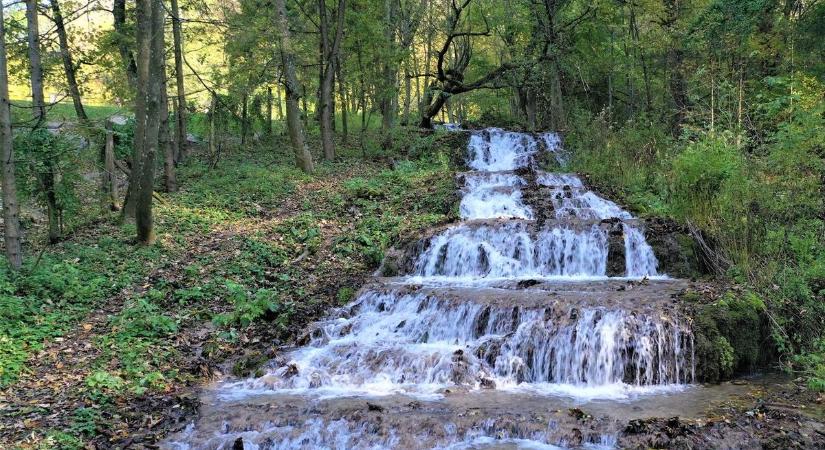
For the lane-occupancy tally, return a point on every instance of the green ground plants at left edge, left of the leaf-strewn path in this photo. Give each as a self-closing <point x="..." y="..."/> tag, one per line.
<point x="45" y="301"/>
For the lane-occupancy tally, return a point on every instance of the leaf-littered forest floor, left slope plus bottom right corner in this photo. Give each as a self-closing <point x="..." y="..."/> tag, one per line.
<point x="105" y="345"/>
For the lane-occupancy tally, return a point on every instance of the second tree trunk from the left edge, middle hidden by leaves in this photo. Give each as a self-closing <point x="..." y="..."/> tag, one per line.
<point x="46" y="175"/>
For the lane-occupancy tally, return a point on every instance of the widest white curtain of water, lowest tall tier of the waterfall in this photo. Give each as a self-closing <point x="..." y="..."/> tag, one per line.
<point x="412" y="343"/>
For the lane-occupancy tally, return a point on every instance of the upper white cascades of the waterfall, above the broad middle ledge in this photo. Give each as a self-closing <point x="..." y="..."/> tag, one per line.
<point x="575" y="244"/>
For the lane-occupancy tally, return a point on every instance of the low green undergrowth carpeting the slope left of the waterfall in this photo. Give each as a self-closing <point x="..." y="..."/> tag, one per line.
<point x="280" y="248"/>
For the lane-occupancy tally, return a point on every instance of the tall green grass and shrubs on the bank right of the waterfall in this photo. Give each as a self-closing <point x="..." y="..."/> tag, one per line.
<point x="760" y="204"/>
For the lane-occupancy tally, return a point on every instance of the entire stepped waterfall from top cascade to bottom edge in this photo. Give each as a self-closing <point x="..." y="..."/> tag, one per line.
<point x="506" y="318"/>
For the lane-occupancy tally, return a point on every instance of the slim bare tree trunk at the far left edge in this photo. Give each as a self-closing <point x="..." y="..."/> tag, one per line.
<point x="11" y="208"/>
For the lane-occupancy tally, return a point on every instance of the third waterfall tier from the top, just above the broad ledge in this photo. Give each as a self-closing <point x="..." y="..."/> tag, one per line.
<point x="599" y="248"/>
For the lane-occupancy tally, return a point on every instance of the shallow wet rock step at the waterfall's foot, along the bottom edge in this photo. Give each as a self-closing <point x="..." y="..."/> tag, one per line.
<point x="458" y="418"/>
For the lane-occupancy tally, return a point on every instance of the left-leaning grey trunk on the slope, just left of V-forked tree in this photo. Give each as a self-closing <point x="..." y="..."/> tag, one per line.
<point x="293" y="92"/>
